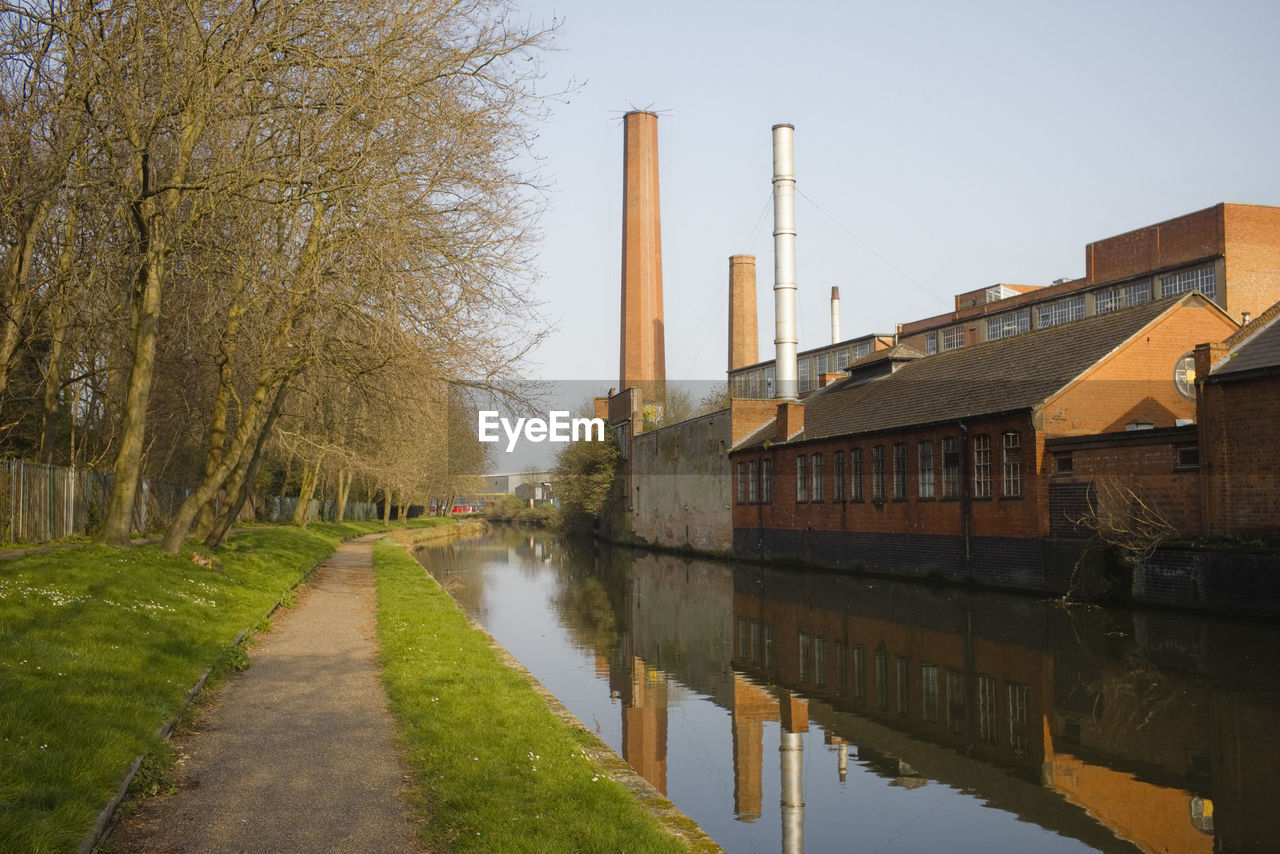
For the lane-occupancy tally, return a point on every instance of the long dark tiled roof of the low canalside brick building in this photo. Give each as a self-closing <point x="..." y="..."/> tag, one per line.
<point x="990" y="378"/>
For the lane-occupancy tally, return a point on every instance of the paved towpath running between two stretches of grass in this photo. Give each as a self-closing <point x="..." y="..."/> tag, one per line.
<point x="298" y="753"/>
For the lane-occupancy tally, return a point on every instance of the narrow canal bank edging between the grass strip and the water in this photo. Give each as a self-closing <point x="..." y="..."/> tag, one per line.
<point x="669" y="816"/>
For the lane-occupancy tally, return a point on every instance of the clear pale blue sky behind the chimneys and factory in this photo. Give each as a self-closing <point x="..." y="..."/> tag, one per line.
<point x="940" y="148"/>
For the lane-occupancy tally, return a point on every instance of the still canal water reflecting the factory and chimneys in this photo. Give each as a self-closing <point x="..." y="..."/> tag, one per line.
<point x="790" y="711"/>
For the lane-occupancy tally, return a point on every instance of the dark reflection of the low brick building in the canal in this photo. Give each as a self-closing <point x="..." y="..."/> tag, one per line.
<point x="950" y="693"/>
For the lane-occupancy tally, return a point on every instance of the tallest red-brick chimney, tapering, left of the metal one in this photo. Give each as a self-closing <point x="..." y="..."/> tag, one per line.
<point x="643" y="350"/>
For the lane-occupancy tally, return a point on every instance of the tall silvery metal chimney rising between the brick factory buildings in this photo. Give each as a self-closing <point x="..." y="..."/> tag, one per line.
<point x="785" y="262"/>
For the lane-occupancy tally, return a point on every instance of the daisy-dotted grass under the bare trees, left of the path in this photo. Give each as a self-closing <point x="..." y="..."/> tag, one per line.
<point x="99" y="649"/>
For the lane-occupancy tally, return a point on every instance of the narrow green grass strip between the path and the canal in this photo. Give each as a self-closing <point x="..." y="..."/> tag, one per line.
<point x="496" y="771"/>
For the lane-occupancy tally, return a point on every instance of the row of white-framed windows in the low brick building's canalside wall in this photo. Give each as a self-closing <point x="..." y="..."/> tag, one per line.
<point x="892" y="474"/>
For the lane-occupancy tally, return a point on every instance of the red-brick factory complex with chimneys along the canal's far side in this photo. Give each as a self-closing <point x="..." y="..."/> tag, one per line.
<point x="996" y="442"/>
